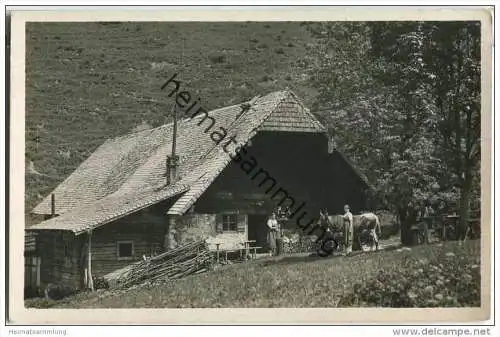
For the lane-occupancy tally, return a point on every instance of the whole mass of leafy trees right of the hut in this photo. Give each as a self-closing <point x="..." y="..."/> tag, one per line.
<point x="398" y="99"/>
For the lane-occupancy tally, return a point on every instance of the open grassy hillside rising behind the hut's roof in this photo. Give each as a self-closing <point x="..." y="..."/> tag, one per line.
<point x="86" y="82"/>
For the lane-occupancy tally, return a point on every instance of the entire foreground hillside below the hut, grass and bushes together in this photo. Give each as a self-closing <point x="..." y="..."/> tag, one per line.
<point x="431" y="275"/>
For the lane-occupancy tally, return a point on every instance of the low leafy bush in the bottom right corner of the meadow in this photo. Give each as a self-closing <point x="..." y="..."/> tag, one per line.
<point x="447" y="281"/>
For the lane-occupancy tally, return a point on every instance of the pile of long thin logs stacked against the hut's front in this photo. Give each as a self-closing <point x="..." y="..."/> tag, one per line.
<point x="176" y="263"/>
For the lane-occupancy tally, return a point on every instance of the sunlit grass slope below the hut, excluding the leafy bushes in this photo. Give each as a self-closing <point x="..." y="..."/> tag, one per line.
<point x="290" y="282"/>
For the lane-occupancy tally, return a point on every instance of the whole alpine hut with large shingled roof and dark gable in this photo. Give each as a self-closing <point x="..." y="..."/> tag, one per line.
<point x="232" y="166"/>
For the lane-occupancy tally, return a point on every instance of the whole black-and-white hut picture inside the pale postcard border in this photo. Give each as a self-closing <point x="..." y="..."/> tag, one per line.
<point x="256" y="164"/>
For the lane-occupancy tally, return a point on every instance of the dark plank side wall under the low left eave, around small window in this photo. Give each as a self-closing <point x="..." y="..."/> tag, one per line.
<point x="146" y="229"/>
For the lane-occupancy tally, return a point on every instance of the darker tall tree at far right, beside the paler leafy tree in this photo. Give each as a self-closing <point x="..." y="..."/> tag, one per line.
<point x="439" y="63"/>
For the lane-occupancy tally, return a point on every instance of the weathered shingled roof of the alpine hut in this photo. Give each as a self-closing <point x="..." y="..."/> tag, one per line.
<point x="128" y="173"/>
